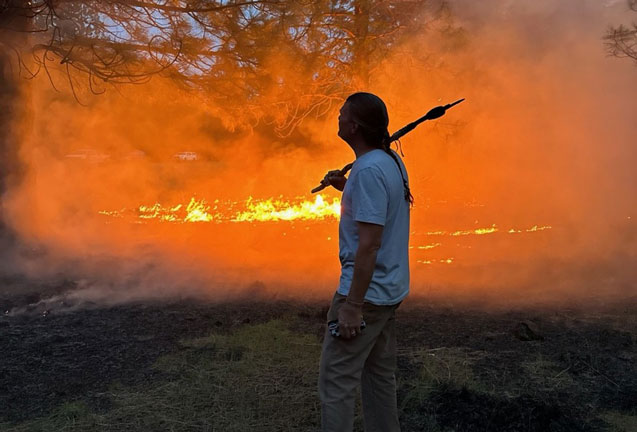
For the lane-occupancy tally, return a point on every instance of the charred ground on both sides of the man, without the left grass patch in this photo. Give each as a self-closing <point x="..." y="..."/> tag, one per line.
<point x="585" y="365"/>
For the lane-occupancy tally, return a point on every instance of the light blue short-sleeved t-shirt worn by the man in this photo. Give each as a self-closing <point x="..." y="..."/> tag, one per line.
<point x="374" y="193"/>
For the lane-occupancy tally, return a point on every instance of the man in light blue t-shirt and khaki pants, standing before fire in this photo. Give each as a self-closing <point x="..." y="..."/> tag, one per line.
<point x="373" y="243"/>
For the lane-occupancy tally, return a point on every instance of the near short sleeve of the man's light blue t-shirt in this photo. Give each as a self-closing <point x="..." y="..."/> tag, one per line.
<point x="369" y="197"/>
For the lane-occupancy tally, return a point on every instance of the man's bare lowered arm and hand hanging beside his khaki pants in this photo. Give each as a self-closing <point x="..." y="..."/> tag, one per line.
<point x="350" y="314"/>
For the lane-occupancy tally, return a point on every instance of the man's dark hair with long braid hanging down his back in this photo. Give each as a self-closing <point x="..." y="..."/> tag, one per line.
<point x="370" y="113"/>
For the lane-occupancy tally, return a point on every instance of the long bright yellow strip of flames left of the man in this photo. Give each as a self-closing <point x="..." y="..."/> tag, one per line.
<point x="253" y="210"/>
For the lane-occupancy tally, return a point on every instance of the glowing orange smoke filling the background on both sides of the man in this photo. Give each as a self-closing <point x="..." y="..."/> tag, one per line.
<point x="545" y="138"/>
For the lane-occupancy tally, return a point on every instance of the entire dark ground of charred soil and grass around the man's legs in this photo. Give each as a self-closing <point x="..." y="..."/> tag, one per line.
<point x="460" y="369"/>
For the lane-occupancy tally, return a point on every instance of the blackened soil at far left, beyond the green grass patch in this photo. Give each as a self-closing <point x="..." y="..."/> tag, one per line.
<point x="50" y="357"/>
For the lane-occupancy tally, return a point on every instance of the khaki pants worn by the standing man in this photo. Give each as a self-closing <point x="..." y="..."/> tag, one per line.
<point x="368" y="359"/>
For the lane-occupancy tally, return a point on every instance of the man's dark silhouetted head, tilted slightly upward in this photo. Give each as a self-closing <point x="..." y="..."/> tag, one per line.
<point x="364" y="115"/>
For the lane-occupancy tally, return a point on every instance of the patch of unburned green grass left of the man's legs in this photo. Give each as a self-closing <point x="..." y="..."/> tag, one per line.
<point x="259" y="378"/>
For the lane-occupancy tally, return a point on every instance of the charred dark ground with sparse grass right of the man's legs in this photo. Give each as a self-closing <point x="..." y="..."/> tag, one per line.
<point x="584" y="365"/>
